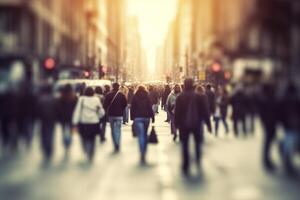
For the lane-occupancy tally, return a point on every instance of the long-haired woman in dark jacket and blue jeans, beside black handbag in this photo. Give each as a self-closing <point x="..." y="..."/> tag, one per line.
<point x="141" y="113"/>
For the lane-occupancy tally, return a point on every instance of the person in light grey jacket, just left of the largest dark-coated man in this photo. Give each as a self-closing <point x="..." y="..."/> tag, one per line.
<point x="170" y="107"/>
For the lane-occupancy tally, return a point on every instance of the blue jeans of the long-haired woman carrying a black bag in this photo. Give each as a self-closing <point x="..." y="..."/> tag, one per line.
<point x="141" y="127"/>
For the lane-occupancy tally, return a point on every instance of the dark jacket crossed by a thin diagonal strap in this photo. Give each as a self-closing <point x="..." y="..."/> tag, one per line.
<point x="115" y="108"/>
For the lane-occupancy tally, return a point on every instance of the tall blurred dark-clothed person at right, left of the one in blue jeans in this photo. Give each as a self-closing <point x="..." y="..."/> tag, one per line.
<point x="268" y="111"/>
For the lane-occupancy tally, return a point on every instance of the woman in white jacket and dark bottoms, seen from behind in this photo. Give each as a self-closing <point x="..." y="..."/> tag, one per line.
<point x="87" y="115"/>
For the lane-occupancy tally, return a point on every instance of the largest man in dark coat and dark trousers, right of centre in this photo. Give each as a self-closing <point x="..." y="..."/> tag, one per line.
<point x="190" y="112"/>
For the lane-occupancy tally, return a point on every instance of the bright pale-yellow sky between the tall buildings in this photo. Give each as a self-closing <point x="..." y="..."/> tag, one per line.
<point x="154" y="19"/>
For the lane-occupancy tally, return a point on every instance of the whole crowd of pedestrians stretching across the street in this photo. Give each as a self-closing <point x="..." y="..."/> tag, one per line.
<point x="192" y="110"/>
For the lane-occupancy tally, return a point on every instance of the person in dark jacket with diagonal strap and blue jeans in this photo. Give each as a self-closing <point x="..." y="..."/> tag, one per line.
<point x="114" y="104"/>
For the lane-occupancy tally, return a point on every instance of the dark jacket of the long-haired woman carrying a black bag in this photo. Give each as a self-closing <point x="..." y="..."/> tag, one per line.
<point x="141" y="106"/>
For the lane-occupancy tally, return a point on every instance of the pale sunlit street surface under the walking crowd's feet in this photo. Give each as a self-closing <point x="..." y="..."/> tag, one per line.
<point x="231" y="171"/>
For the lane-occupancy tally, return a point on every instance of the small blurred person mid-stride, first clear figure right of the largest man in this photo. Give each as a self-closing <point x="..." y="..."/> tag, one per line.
<point x="220" y="114"/>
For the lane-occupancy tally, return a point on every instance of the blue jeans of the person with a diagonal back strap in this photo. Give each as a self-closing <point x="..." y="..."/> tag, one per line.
<point x="115" y="125"/>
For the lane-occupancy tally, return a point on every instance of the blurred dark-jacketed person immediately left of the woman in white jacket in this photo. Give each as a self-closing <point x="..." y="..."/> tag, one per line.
<point x="65" y="109"/>
